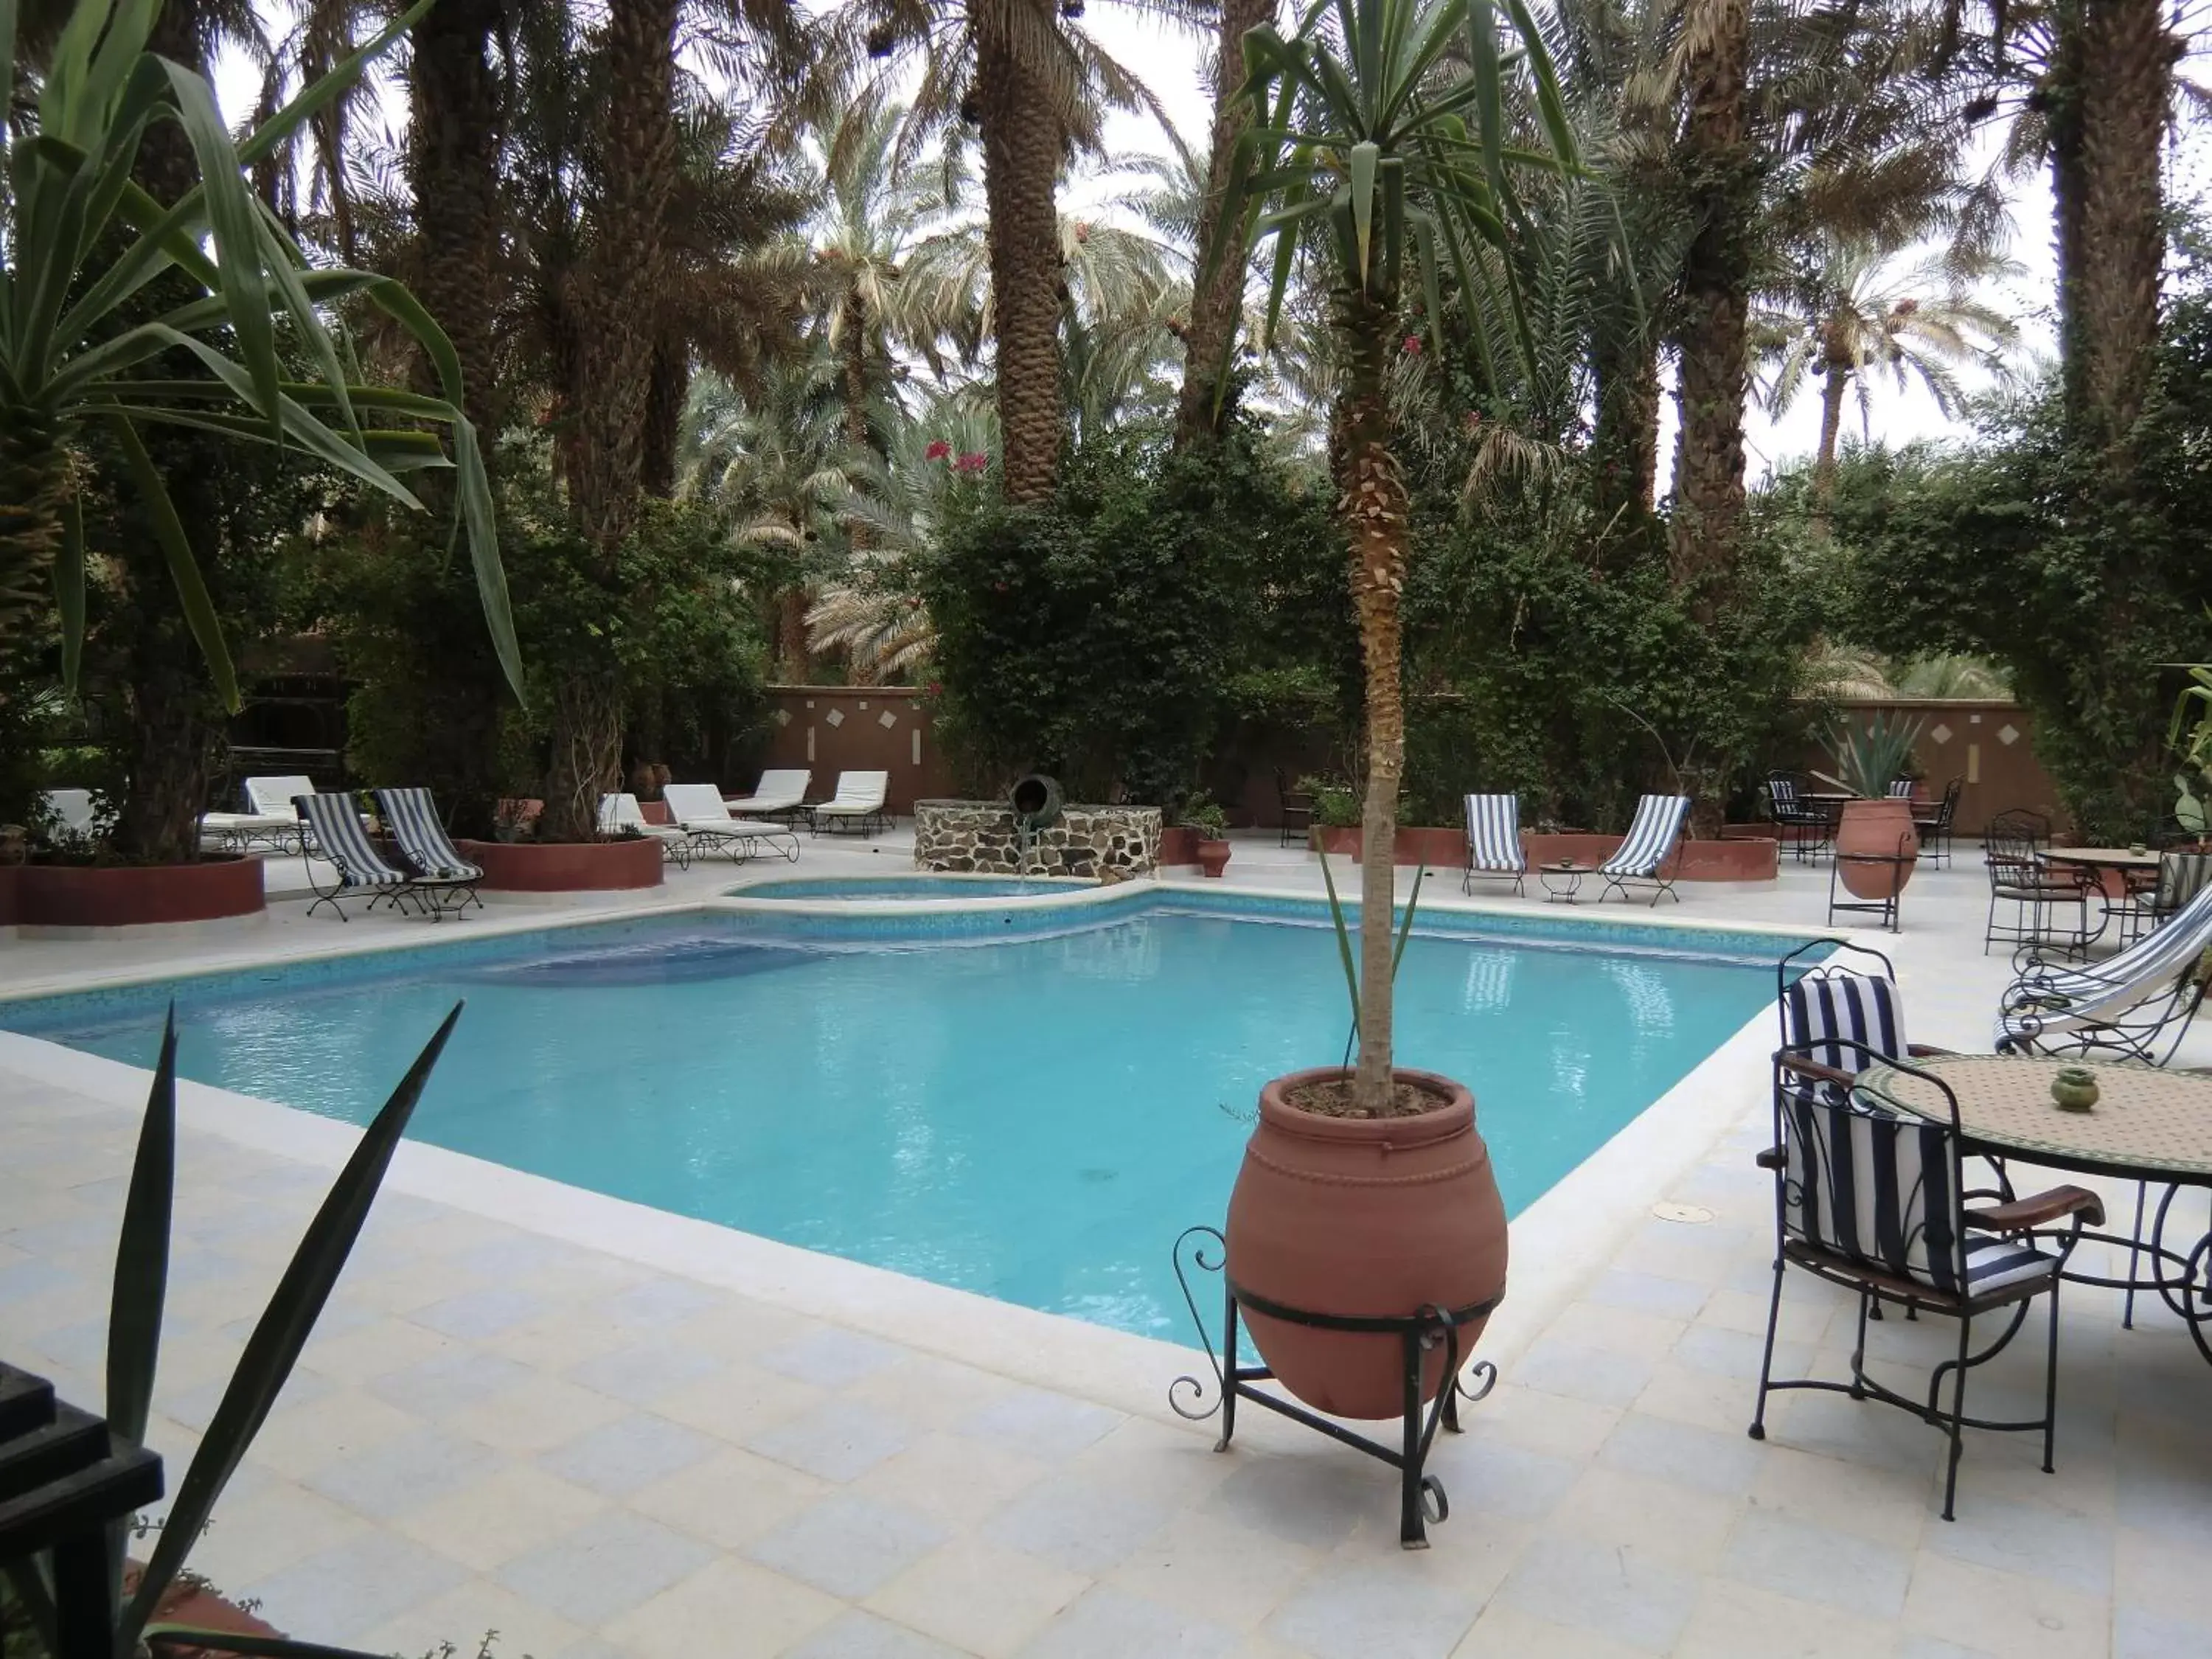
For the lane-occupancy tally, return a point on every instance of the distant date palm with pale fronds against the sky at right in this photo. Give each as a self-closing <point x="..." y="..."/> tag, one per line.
<point x="1855" y="315"/>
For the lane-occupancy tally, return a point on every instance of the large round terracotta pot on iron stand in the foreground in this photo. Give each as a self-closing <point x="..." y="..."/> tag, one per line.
<point x="1364" y="1218"/>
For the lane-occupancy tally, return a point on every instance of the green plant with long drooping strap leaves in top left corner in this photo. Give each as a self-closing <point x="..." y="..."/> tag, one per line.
<point x="81" y="242"/>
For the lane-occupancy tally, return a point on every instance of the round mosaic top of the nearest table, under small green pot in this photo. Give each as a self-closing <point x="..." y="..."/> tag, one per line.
<point x="2145" y="1123"/>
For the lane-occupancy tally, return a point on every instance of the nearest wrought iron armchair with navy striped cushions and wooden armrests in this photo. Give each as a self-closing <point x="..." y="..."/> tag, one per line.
<point x="1872" y="1198"/>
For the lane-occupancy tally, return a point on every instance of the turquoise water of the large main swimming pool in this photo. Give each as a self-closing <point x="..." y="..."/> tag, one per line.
<point x="1032" y="1118"/>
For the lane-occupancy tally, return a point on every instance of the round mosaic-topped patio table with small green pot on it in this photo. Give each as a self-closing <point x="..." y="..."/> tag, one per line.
<point x="2149" y="1127"/>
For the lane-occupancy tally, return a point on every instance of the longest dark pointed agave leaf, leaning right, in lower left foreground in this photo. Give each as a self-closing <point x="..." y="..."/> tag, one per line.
<point x="280" y="1337"/>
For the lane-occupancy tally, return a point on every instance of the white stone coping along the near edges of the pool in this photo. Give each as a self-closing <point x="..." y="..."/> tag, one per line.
<point x="1558" y="1242"/>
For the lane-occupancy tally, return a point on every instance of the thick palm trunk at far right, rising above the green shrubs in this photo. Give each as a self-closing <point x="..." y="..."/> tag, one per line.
<point x="2114" y="81"/>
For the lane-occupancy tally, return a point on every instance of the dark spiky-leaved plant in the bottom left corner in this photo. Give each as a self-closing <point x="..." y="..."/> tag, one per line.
<point x="260" y="1377"/>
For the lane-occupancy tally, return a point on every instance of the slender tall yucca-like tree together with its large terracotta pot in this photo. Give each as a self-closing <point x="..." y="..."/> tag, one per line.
<point x="1368" y="1191"/>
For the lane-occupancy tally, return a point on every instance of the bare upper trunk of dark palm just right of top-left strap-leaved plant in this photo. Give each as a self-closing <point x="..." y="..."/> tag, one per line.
<point x="455" y="174"/>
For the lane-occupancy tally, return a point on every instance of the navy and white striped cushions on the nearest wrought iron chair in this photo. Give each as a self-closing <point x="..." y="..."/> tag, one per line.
<point x="1884" y="1191"/>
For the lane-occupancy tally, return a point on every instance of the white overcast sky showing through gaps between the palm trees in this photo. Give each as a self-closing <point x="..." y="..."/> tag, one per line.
<point x="1171" y="63"/>
